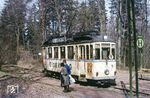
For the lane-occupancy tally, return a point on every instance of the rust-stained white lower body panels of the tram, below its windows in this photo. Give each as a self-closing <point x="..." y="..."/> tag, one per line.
<point x="95" y="70"/>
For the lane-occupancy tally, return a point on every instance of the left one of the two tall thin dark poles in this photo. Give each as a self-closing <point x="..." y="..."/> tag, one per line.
<point x="129" y="39"/>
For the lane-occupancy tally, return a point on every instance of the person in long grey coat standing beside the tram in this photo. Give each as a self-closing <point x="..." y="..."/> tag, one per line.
<point x="65" y="78"/>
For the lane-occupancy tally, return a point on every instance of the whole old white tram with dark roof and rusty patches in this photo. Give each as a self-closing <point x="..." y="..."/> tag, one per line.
<point x="92" y="57"/>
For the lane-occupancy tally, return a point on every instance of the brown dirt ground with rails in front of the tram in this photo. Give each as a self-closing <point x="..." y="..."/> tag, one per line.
<point x="33" y="84"/>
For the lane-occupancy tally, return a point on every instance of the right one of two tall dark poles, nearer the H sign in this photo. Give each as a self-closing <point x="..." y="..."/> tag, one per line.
<point x="135" y="48"/>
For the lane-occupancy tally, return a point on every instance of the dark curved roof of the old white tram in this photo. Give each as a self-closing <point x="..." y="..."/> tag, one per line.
<point x="77" y="38"/>
